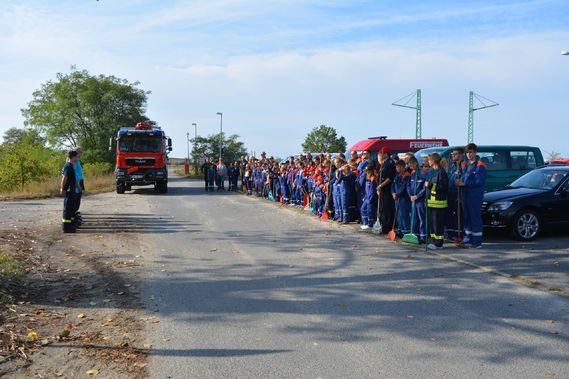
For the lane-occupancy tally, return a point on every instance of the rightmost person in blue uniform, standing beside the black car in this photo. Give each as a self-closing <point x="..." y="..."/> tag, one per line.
<point x="472" y="183"/>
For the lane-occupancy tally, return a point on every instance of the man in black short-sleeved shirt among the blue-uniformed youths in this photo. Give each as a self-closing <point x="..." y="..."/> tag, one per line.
<point x="386" y="177"/>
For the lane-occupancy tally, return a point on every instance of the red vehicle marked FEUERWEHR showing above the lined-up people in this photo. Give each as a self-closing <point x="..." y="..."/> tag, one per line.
<point x="374" y="144"/>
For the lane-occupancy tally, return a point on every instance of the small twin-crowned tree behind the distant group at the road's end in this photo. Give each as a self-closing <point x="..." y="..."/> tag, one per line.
<point x="232" y="148"/>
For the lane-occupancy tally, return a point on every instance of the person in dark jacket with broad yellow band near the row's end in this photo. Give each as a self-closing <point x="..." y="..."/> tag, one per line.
<point x="437" y="189"/>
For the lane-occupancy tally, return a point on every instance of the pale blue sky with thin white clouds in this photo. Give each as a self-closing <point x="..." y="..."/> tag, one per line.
<point x="276" y="69"/>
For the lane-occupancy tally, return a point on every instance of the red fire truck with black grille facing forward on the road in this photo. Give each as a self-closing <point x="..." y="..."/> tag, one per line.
<point x="142" y="157"/>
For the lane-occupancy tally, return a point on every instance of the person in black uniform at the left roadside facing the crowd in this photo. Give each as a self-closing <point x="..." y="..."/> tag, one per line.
<point x="69" y="189"/>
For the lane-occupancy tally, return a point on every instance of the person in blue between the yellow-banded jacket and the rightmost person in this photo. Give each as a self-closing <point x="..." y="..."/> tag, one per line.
<point x="455" y="172"/>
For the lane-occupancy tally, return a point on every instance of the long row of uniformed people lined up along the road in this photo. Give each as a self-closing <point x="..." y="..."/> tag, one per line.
<point x="434" y="200"/>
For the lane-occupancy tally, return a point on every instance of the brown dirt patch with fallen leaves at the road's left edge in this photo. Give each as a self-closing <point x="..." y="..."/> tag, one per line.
<point x="77" y="310"/>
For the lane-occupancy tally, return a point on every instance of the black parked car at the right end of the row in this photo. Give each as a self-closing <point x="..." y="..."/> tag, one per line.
<point x="537" y="200"/>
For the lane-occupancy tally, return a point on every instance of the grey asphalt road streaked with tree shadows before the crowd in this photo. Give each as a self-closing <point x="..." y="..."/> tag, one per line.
<point x="242" y="288"/>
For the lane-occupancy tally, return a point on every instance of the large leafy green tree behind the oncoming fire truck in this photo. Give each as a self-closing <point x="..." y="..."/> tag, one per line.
<point x="79" y="109"/>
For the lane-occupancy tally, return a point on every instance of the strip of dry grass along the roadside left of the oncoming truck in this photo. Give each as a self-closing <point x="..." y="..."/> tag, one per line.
<point x="50" y="188"/>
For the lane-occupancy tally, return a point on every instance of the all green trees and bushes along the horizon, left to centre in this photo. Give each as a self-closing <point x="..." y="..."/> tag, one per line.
<point x="80" y="109"/>
